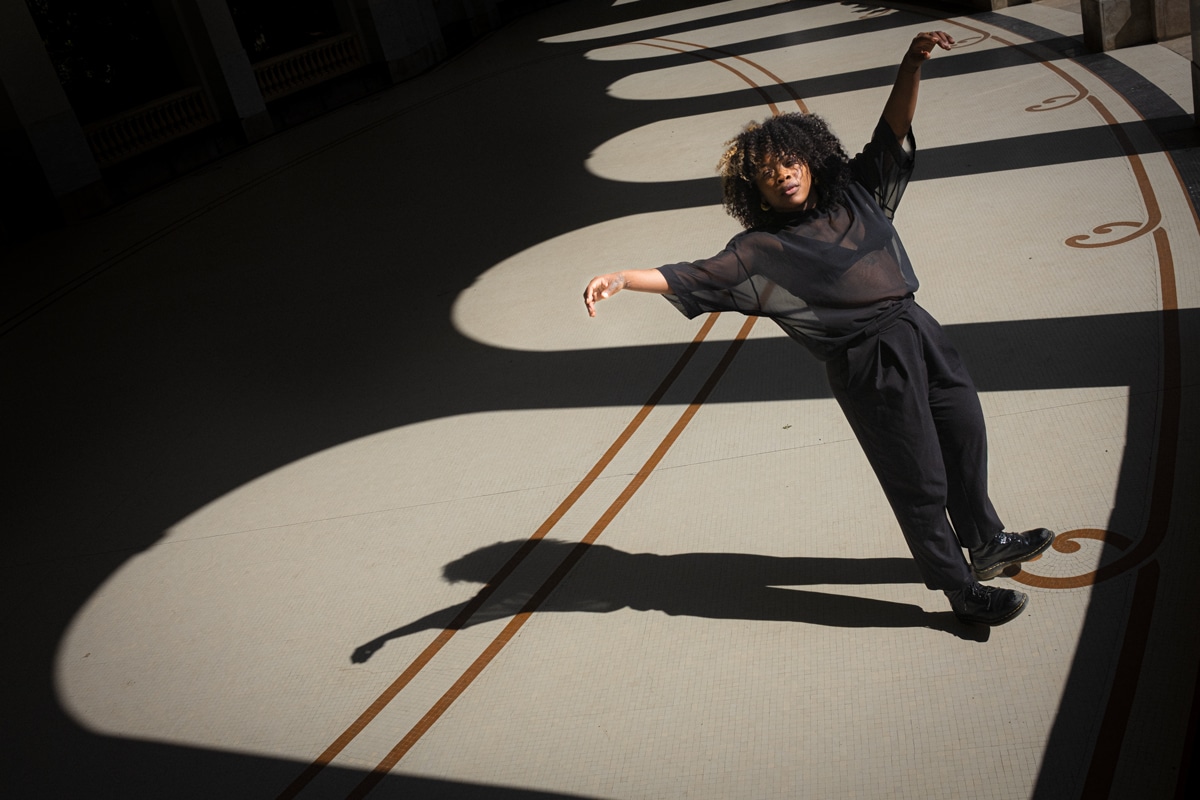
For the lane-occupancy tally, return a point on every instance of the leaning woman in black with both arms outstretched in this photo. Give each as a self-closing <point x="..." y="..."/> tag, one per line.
<point x="820" y="257"/>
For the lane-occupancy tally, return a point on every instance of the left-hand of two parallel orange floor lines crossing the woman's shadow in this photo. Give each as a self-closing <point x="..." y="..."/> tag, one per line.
<point x="482" y="597"/>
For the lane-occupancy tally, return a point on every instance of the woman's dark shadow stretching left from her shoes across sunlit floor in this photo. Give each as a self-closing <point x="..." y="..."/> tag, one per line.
<point x="717" y="586"/>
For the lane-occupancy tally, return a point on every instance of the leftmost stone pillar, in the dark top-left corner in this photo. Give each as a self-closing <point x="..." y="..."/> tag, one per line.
<point x="37" y="122"/>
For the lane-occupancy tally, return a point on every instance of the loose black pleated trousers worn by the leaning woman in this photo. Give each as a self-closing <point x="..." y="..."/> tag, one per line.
<point x="916" y="413"/>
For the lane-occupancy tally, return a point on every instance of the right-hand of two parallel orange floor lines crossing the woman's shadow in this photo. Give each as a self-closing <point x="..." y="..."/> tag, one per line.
<point x="397" y="754"/>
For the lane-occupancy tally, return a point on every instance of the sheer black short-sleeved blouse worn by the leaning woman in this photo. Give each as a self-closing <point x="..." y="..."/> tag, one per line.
<point x="823" y="278"/>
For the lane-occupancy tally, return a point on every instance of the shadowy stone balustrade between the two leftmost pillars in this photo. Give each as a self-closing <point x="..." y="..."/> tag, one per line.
<point x="148" y="127"/>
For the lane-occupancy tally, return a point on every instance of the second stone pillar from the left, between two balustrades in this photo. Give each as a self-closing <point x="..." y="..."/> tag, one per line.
<point x="219" y="63"/>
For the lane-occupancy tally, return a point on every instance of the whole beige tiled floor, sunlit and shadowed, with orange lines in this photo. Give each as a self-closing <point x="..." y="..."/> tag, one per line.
<point x="271" y="429"/>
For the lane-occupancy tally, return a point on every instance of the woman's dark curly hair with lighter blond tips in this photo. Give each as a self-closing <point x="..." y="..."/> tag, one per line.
<point x="806" y="137"/>
